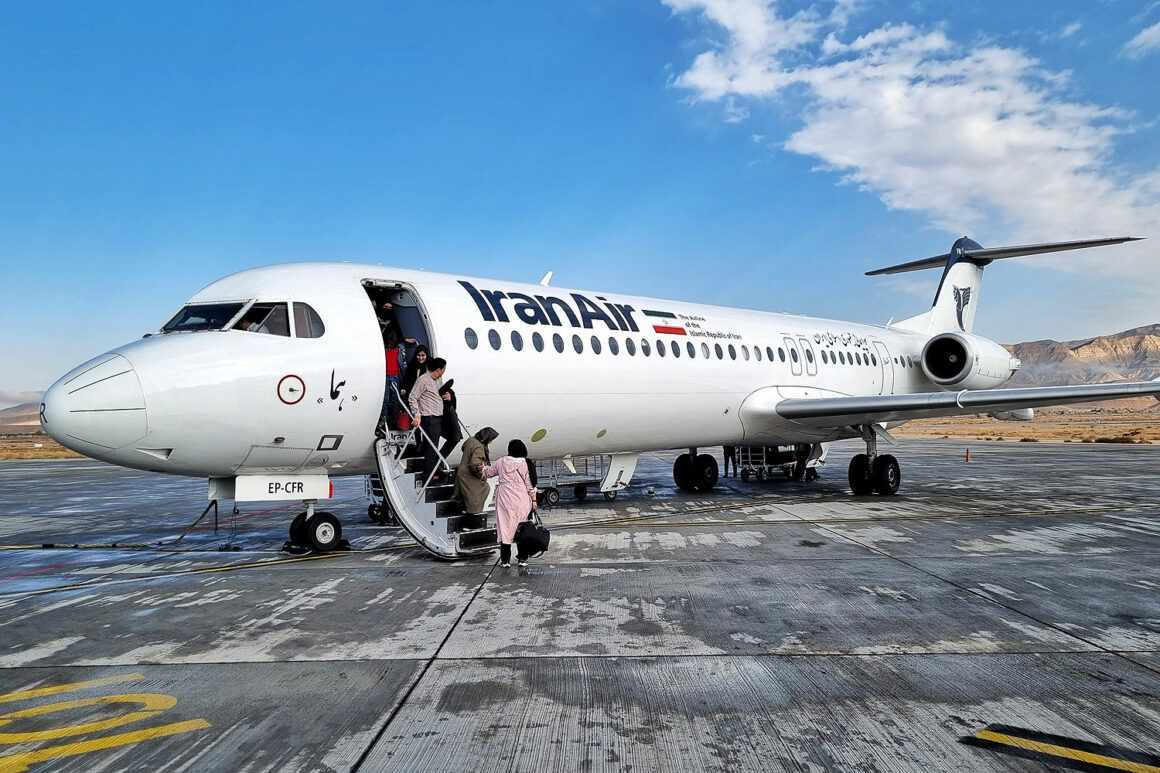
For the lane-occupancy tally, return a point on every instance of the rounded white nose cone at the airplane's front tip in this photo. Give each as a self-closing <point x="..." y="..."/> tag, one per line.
<point x="97" y="407"/>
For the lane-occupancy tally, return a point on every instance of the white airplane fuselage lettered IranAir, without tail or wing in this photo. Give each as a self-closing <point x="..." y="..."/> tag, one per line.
<point x="570" y="372"/>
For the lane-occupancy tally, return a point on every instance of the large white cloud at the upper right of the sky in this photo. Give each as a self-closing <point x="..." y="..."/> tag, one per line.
<point x="981" y="139"/>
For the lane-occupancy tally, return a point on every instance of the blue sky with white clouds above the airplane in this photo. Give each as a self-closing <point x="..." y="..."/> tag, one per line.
<point x="738" y="153"/>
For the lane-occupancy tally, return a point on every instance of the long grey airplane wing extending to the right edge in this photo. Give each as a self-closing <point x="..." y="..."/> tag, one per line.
<point x="843" y="411"/>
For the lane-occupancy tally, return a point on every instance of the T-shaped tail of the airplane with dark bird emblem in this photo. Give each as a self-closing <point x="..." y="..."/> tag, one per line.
<point x="958" y="297"/>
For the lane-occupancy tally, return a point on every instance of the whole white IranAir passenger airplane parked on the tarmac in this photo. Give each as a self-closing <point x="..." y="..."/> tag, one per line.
<point x="271" y="381"/>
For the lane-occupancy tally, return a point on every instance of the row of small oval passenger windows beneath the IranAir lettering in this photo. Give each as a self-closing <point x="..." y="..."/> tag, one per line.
<point x="691" y="350"/>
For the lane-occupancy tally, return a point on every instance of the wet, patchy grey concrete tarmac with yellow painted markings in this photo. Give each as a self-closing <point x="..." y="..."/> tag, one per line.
<point x="999" y="615"/>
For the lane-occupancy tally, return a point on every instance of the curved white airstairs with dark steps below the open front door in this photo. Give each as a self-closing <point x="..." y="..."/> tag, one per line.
<point x="431" y="516"/>
